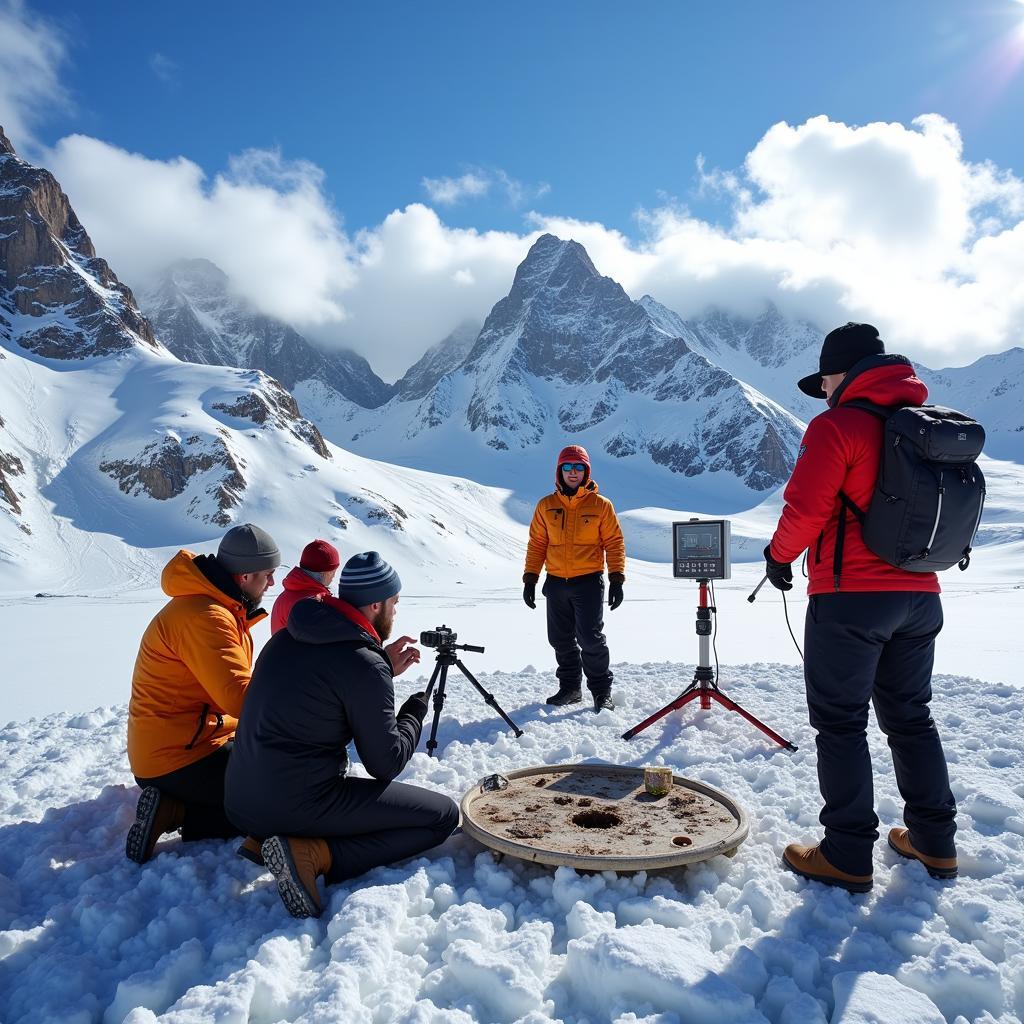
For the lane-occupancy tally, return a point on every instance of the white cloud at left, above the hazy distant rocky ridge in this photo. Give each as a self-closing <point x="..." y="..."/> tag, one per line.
<point x="266" y="223"/>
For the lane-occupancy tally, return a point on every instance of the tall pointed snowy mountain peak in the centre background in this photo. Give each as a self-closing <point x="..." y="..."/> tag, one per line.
<point x="567" y="355"/>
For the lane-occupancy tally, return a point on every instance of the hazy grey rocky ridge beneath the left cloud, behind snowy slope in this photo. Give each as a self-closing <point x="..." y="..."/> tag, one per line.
<point x="196" y="315"/>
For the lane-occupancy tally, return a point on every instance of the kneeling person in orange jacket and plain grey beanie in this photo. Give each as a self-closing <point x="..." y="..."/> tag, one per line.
<point x="191" y="677"/>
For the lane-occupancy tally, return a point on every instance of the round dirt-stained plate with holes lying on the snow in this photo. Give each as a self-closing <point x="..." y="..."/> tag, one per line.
<point x="601" y="818"/>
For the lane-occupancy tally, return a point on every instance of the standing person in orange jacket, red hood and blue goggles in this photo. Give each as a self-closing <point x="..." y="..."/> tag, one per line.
<point x="574" y="532"/>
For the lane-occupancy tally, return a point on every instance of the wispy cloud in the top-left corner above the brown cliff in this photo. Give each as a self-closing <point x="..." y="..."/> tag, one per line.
<point x="32" y="52"/>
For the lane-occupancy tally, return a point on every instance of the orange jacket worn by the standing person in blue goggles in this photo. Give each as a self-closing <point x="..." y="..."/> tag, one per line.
<point x="575" y="535"/>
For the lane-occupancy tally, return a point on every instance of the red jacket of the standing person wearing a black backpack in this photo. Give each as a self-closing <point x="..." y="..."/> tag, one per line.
<point x="841" y="451"/>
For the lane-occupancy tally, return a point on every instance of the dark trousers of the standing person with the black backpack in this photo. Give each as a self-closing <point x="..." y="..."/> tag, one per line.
<point x="876" y="648"/>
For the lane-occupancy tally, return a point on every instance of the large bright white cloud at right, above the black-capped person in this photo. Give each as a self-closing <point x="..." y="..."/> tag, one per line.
<point x="883" y="223"/>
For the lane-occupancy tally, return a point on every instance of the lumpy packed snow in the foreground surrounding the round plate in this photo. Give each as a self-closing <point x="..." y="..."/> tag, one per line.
<point x="200" y="935"/>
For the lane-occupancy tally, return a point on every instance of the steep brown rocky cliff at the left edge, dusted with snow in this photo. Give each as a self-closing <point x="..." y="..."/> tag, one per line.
<point x="62" y="302"/>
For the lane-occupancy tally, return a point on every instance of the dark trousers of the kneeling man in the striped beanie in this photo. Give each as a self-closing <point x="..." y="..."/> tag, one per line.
<point x="369" y="824"/>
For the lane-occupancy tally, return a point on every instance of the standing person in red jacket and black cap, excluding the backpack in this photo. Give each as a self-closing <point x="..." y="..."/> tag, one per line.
<point x="871" y="628"/>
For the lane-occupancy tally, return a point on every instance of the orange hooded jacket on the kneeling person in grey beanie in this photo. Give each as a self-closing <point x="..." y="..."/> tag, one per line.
<point x="191" y="675"/>
